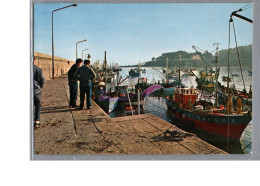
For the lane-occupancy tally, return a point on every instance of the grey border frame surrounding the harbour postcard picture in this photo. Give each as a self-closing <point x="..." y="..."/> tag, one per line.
<point x="256" y="92"/>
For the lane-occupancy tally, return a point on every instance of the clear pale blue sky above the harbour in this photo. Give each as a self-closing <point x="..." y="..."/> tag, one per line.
<point x="137" y="32"/>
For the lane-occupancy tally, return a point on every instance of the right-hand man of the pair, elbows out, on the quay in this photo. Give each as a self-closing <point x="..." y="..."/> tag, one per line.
<point x="85" y="74"/>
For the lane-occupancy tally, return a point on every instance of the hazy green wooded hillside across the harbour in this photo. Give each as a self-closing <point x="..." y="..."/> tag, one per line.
<point x="193" y="59"/>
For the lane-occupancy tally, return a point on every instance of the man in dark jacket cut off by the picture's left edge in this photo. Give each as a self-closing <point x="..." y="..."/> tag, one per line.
<point x="38" y="82"/>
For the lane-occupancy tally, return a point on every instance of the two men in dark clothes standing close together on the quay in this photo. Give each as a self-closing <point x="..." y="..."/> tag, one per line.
<point x="85" y="74"/>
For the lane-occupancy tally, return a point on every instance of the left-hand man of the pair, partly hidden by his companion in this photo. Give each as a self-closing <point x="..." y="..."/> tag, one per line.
<point x="73" y="84"/>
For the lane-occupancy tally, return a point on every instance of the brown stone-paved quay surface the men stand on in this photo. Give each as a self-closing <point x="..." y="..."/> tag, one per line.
<point x="69" y="131"/>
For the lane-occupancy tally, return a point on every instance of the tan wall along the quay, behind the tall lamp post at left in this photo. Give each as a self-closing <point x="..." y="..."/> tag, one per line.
<point x="61" y="65"/>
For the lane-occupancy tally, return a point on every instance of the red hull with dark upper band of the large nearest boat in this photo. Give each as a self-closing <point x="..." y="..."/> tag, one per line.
<point x="217" y="124"/>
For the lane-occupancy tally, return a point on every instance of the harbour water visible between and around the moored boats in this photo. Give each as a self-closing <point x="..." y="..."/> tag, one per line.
<point x="157" y="107"/>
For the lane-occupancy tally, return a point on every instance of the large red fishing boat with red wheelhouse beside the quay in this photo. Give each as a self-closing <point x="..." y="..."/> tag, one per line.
<point x="203" y="115"/>
